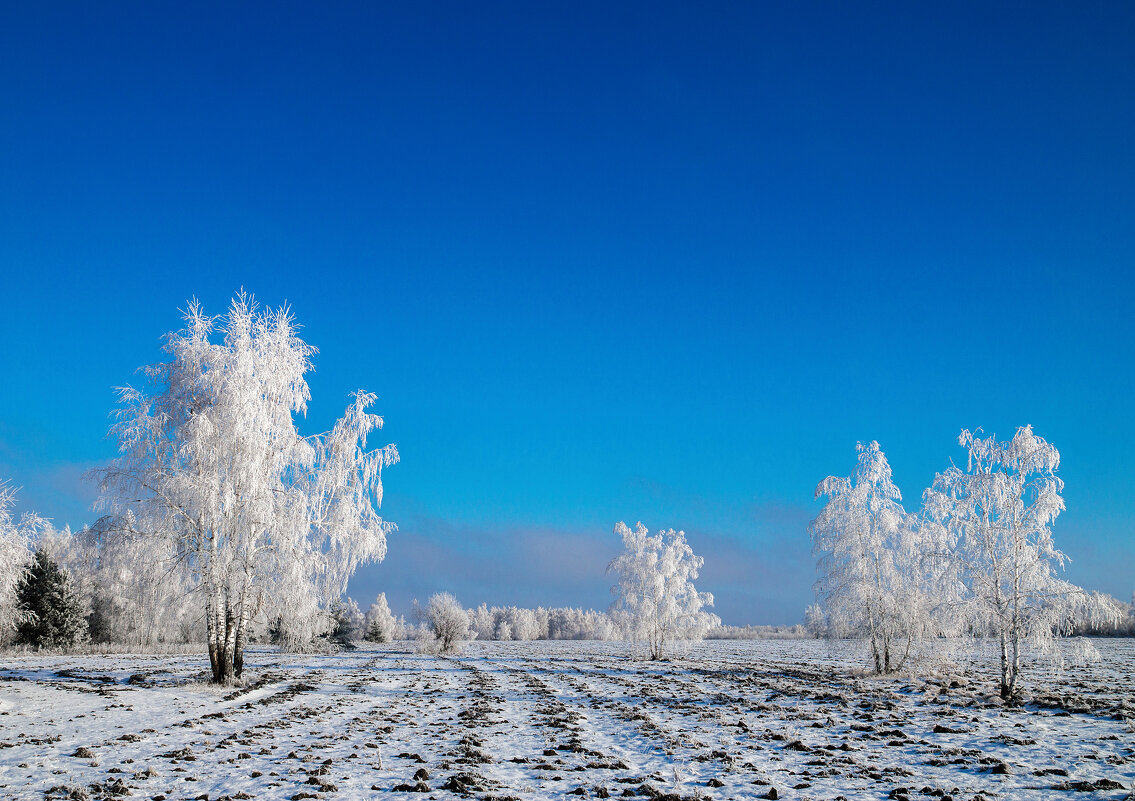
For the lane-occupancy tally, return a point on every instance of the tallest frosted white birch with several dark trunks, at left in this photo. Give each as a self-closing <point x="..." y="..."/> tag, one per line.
<point x="212" y="461"/>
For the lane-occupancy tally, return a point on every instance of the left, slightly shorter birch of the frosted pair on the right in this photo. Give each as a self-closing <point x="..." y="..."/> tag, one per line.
<point x="870" y="560"/>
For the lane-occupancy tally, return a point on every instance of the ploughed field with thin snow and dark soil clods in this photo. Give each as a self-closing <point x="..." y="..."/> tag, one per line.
<point x="551" y="720"/>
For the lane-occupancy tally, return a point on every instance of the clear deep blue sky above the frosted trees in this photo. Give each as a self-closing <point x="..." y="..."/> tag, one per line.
<point x="600" y="262"/>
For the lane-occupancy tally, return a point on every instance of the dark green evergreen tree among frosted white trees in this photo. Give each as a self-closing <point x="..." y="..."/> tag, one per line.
<point x="54" y="617"/>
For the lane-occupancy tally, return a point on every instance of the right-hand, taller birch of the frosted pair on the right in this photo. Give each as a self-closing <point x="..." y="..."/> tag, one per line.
<point x="1001" y="512"/>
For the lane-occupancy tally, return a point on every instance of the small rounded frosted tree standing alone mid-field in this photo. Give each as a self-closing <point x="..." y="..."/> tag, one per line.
<point x="655" y="598"/>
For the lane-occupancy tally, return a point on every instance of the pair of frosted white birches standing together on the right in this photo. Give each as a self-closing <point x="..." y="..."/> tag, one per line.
<point x="978" y="560"/>
